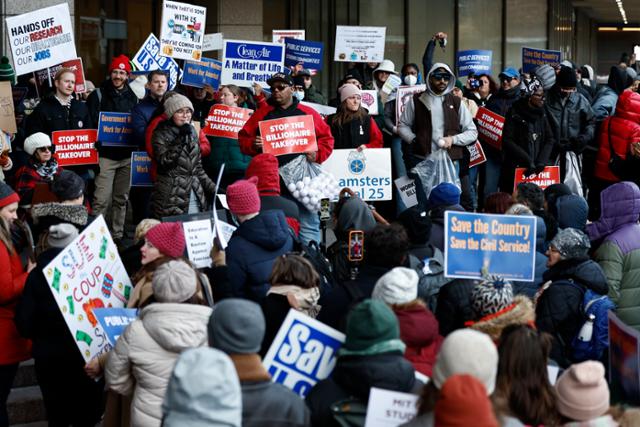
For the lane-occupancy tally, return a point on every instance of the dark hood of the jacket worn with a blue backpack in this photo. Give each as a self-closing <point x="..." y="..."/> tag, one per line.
<point x="583" y="271"/>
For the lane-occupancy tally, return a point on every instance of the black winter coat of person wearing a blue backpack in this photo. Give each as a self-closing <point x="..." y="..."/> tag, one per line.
<point x="559" y="308"/>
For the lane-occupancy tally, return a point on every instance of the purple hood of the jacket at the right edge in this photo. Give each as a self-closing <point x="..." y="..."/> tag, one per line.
<point x="620" y="206"/>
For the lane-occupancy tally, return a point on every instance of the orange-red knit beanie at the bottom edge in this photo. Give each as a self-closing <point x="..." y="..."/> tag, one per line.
<point x="464" y="402"/>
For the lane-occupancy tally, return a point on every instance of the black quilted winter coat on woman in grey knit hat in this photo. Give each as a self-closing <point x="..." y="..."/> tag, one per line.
<point x="179" y="171"/>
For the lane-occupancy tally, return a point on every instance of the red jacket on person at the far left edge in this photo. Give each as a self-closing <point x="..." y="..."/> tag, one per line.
<point x="13" y="348"/>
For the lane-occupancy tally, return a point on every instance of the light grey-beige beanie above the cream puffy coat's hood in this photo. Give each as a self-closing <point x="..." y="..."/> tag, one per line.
<point x="174" y="281"/>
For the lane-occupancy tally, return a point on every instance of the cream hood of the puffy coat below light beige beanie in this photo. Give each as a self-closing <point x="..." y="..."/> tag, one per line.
<point x="176" y="327"/>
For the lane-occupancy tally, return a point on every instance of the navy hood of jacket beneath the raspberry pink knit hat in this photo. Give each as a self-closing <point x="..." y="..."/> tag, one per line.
<point x="269" y="230"/>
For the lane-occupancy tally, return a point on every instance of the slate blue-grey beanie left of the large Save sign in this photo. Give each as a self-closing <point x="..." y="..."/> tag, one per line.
<point x="236" y="326"/>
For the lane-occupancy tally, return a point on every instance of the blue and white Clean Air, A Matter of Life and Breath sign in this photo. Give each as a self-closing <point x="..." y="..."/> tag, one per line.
<point x="247" y="62"/>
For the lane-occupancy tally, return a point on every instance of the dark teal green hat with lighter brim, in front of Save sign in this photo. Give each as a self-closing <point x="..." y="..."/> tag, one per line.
<point x="372" y="328"/>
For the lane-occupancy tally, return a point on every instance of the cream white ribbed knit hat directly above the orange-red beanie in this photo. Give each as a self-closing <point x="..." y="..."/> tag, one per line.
<point x="466" y="351"/>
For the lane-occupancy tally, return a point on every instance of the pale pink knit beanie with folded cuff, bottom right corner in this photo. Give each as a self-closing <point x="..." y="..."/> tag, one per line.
<point x="583" y="393"/>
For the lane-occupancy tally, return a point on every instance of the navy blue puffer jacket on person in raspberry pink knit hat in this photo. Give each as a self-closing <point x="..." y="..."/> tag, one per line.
<point x="252" y="250"/>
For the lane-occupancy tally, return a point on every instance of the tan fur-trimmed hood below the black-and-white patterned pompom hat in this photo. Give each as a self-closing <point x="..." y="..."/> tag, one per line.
<point x="520" y="312"/>
